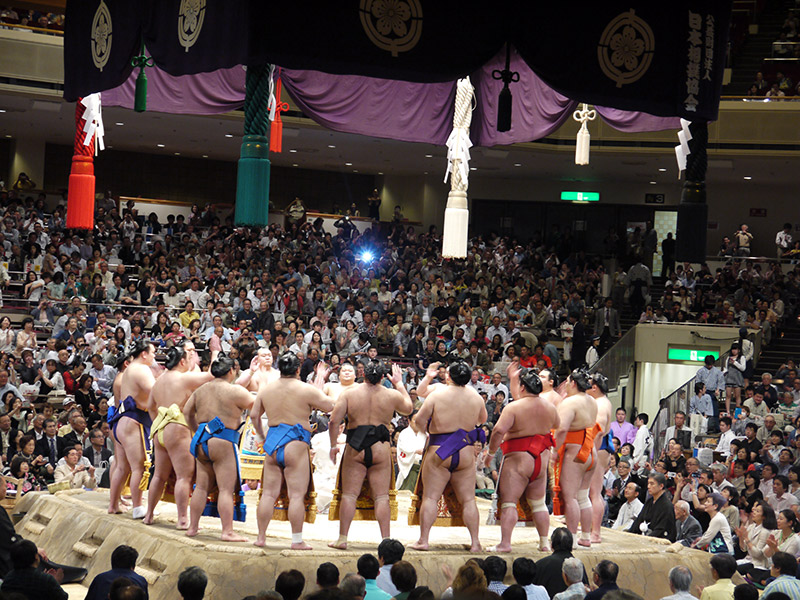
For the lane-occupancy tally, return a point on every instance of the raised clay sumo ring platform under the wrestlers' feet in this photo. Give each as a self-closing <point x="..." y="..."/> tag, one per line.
<point x="75" y="529"/>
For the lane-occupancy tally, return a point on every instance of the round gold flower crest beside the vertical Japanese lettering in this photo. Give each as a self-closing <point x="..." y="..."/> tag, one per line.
<point x="625" y="51"/>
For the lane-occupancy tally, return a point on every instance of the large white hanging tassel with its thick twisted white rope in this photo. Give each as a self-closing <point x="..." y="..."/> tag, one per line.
<point x="456" y="215"/>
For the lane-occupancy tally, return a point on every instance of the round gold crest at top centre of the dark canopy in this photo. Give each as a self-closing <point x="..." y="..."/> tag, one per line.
<point x="392" y="25"/>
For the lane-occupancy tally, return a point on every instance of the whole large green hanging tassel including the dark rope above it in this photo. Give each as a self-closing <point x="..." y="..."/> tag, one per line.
<point x="252" y="182"/>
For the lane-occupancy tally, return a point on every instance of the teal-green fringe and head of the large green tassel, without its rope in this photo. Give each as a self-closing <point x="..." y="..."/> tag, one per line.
<point x="252" y="182"/>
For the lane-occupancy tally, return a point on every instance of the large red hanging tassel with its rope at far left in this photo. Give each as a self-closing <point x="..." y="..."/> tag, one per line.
<point x="80" y="196"/>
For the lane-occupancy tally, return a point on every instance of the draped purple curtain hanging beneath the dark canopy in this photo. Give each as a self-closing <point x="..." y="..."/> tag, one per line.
<point x="411" y="112"/>
